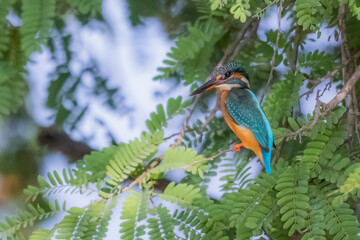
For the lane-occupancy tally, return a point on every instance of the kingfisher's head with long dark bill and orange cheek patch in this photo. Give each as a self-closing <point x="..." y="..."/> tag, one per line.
<point x="226" y="77"/>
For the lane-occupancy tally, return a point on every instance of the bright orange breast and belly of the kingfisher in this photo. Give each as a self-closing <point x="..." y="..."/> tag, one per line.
<point x="245" y="135"/>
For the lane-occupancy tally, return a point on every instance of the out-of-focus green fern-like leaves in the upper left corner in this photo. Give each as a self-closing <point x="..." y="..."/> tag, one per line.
<point x="17" y="44"/>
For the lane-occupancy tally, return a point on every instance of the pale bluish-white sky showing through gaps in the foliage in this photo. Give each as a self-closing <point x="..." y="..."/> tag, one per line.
<point x="128" y="57"/>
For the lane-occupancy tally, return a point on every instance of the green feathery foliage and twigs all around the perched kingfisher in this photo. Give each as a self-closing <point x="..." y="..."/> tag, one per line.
<point x="313" y="191"/>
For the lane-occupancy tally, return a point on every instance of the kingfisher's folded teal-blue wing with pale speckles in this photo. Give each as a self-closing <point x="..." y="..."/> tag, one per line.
<point x="244" y="108"/>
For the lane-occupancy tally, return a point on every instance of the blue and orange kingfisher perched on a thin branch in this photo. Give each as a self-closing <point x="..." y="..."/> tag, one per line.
<point x="242" y="111"/>
